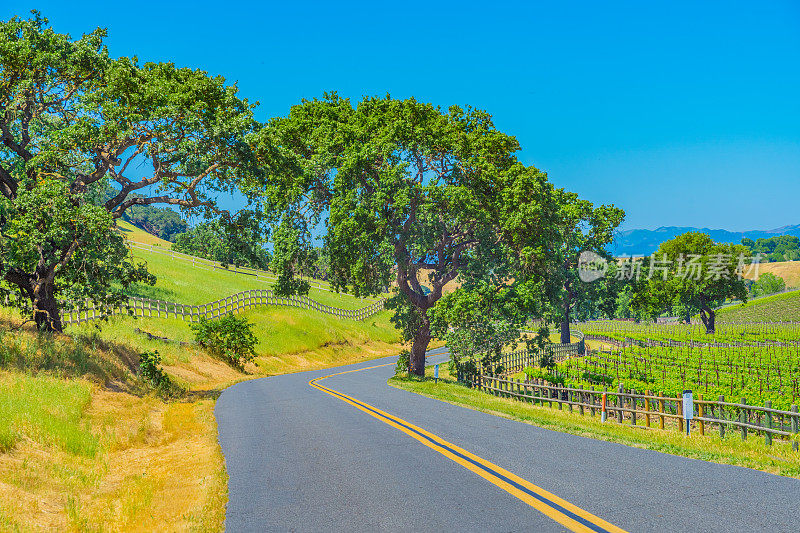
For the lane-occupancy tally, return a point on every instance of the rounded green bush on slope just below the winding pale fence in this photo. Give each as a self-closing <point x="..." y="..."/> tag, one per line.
<point x="229" y="337"/>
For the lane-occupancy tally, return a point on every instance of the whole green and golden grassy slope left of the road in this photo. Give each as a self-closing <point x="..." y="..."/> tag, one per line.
<point x="85" y="445"/>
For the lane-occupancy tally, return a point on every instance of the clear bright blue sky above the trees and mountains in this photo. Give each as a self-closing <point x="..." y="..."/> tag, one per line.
<point x="682" y="113"/>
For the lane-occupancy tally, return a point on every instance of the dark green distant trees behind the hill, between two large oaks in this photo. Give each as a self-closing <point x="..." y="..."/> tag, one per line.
<point x="238" y="242"/>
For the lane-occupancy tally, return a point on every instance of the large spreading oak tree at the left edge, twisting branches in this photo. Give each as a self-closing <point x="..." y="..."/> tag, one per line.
<point x="73" y="117"/>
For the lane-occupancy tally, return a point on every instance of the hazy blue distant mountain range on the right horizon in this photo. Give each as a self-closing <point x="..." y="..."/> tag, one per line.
<point x="646" y="241"/>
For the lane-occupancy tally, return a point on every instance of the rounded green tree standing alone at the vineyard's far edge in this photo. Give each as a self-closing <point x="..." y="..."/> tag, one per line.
<point x="691" y="274"/>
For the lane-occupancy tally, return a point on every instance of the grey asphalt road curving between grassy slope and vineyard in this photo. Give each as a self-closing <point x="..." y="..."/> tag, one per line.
<point x="302" y="459"/>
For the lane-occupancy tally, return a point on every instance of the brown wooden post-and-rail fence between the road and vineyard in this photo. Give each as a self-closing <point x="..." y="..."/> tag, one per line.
<point x="648" y="409"/>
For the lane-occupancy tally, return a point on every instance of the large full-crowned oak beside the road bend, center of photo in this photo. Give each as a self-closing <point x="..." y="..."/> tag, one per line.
<point x="417" y="197"/>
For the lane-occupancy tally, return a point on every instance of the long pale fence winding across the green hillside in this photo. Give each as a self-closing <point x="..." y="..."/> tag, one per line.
<point x="146" y="307"/>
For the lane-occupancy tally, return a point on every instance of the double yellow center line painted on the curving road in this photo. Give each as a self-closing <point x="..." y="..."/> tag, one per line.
<point x="560" y="510"/>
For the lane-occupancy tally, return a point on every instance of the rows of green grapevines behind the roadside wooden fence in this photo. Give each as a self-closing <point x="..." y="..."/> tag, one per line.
<point x="758" y="362"/>
